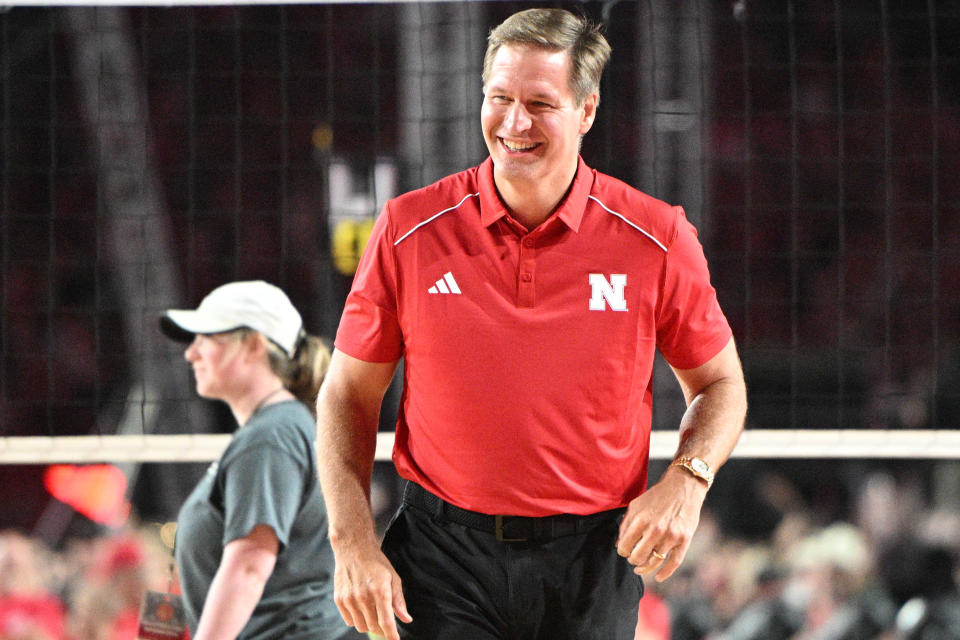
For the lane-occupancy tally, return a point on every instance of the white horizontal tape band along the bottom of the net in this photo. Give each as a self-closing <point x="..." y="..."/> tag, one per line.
<point x="776" y="443"/>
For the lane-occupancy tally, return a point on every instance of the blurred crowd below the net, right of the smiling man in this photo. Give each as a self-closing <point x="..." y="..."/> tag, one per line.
<point x="886" y="572"/>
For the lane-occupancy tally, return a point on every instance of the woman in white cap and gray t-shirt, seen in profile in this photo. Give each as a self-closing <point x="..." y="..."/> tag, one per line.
<point x="251" y="546"/>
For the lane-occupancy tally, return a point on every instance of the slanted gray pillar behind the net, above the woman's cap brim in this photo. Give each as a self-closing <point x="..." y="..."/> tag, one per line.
<point x="137" y="244"/>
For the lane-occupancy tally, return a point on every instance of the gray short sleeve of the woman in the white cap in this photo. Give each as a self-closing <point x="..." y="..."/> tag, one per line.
<point x="262" y="485"/>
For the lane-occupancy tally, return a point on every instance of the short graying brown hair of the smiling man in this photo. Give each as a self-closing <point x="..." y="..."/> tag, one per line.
<point x="556" y="30"/>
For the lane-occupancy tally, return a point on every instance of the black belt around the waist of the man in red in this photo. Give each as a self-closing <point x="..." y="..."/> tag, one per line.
<point x="507" y="528"/>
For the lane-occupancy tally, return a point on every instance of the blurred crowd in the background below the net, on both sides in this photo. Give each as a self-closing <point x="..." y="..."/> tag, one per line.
<point x="886" y="571"/>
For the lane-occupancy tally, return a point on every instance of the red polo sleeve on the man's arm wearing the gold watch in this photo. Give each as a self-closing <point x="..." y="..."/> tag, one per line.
<point x="691" y="327"/>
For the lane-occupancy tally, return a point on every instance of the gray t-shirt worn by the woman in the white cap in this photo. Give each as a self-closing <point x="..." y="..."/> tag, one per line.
<point x="267" y="475"/>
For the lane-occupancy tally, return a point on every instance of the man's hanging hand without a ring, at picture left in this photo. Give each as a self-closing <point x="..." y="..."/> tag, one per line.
<point x="368" y="592"/>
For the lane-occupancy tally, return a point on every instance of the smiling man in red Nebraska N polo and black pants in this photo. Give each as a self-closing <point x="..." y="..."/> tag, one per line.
<point x="527" y="297"/>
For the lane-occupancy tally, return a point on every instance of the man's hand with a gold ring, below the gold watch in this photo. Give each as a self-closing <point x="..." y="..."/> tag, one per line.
<point x="659" y="524"/>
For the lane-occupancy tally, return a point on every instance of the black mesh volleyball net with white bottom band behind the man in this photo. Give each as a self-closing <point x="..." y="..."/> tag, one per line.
<point x="152" y="153"/>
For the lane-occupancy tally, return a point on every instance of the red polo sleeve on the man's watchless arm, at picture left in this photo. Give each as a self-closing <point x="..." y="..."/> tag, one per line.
<point x="369" y="326"/>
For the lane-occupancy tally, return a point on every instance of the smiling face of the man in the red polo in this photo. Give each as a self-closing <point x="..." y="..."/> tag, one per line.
<point x="530" y="120"/>
